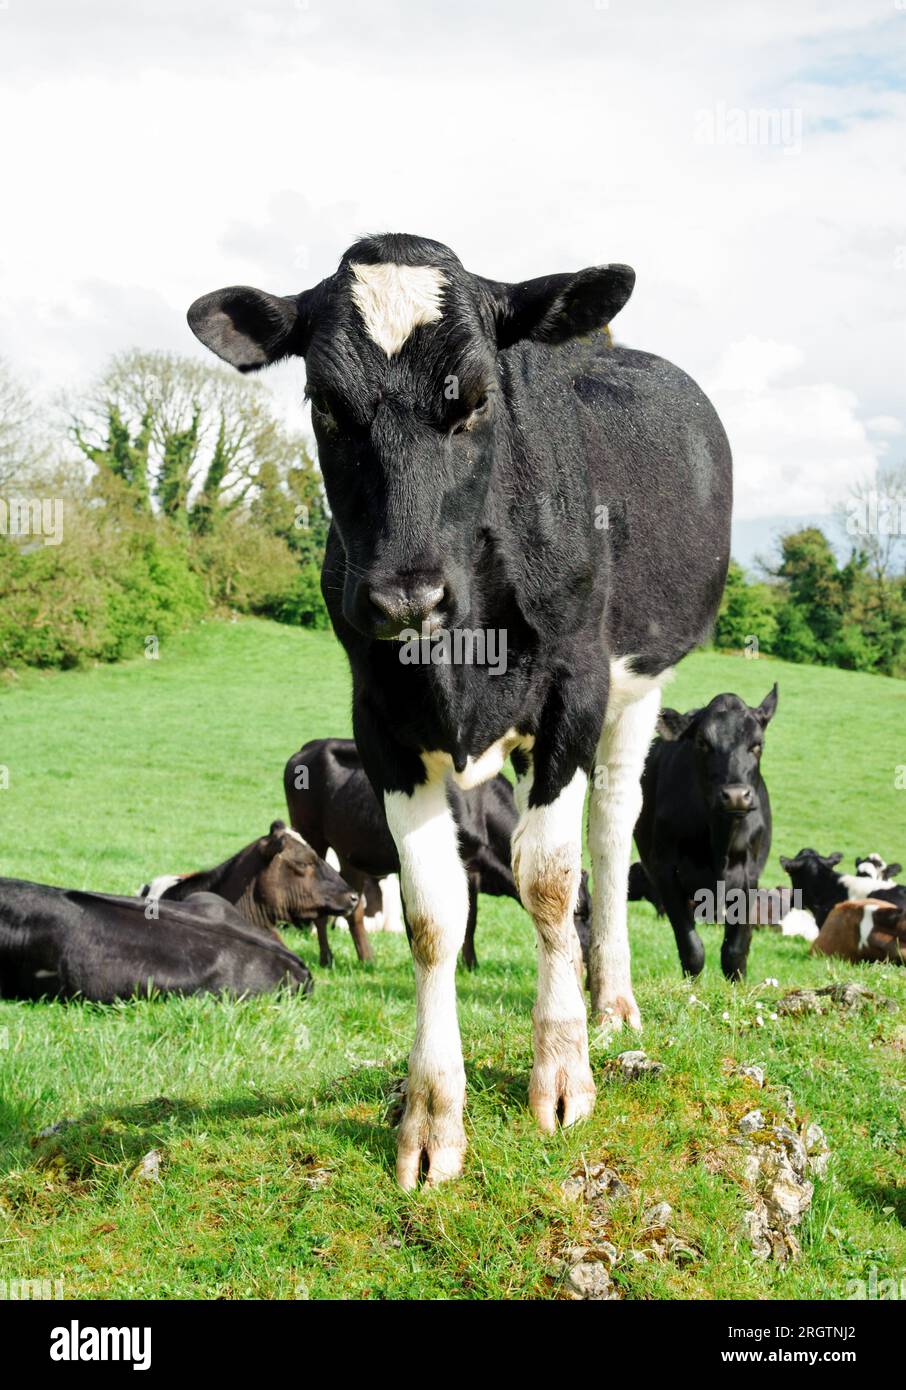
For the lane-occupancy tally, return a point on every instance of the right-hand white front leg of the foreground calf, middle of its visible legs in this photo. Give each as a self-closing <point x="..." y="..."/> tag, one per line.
<point x="547" y="867"/>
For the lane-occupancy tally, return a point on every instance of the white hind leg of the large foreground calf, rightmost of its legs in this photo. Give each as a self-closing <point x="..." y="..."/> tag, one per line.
<point x="616" y="803"/>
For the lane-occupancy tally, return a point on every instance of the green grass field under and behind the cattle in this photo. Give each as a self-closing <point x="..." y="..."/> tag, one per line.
<point x="276" y="1177"/>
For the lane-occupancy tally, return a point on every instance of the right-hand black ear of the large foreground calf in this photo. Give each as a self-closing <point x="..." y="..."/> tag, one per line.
<point x="558" y="308"/>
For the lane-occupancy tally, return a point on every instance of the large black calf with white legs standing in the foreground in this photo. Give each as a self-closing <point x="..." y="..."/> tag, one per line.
<point x="494" y="465"/>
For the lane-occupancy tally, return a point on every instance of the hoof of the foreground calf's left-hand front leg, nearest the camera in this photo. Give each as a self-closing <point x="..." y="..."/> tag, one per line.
<point x="431" y="1140"/>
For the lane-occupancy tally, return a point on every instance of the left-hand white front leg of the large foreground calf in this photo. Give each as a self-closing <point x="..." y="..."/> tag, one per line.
<point x="437" y="906"/>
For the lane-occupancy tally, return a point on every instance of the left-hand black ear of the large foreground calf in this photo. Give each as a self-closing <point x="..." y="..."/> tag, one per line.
<point x="251" y="329"/>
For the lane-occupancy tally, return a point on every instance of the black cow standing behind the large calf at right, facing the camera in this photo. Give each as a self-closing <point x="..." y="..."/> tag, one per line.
<point x="705" y="822"/>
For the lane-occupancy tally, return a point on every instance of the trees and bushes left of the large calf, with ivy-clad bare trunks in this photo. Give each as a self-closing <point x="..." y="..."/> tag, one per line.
<point x="179" y="493"/>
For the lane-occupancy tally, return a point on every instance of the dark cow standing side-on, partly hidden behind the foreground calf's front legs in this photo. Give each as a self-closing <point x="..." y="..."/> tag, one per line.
<point x="333" y="806"/>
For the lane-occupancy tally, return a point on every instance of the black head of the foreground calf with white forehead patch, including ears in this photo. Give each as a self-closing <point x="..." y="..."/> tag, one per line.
<point x="402" y="352"/>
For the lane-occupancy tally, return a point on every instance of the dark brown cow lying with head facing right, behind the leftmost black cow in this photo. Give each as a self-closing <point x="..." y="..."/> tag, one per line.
<point x="276" y="879"/>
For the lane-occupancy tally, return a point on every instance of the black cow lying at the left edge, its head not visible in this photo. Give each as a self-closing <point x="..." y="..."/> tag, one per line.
<point x="65" y="945"/>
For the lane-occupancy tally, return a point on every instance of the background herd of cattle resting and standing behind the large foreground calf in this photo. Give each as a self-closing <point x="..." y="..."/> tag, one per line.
<point x="705" y="831"/>
